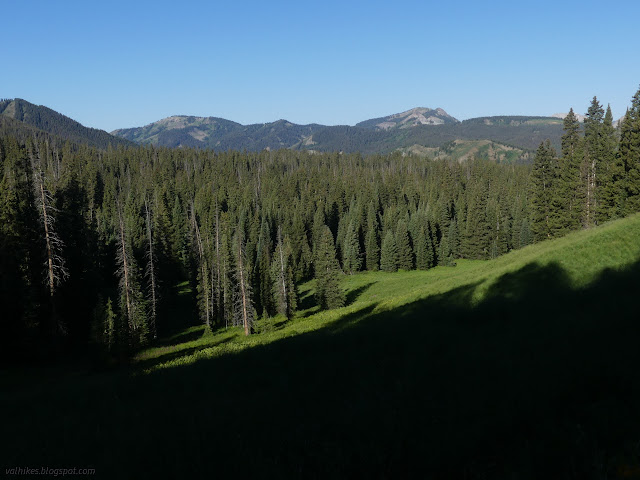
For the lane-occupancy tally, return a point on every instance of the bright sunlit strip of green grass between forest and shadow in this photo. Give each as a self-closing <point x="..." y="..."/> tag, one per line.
<point x="582" y="255"/>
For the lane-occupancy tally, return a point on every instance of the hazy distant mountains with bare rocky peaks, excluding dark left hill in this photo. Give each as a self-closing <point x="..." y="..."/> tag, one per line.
<point x="416" y="130"/>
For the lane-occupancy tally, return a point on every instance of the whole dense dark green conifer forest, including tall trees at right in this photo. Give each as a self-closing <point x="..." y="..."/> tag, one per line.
<point x="93" y="240"/>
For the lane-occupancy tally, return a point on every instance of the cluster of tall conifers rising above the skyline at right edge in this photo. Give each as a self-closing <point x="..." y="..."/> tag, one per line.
<point x="596" y="178"/>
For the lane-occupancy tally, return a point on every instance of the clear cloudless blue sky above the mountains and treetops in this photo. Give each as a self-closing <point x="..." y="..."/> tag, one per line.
<point x="123" y="64"/>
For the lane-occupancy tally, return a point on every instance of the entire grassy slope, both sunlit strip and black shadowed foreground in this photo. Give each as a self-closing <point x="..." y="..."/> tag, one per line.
<point x="520" y="367"/>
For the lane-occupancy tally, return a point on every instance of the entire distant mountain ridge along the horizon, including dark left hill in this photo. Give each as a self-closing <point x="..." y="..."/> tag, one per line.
<point x="421" y="131"/>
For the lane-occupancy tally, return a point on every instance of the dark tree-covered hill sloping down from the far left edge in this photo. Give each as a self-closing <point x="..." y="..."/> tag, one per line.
<point x="46" y="120"/>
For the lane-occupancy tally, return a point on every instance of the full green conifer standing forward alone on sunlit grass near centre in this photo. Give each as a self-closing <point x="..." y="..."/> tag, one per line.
<point x="329" y="293"/>
